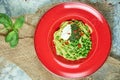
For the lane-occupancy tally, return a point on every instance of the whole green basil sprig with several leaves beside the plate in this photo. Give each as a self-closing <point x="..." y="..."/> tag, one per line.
<point x="12" y="28"/>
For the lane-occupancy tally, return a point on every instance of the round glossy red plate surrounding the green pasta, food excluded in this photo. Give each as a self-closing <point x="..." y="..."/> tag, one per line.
<point x="50" y="22"/>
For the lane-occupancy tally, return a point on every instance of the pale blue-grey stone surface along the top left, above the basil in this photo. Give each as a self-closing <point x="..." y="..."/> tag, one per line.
<point x="20" y="7"/>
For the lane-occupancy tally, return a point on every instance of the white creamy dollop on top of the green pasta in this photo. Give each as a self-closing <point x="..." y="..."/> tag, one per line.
<point x="66" y="32"/>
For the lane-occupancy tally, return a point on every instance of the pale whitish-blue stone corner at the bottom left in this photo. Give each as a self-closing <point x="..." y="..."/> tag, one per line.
<point x="9" y="71"/>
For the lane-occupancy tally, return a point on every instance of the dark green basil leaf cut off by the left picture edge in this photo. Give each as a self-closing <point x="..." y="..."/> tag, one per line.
<point x="6" y="21"/>
